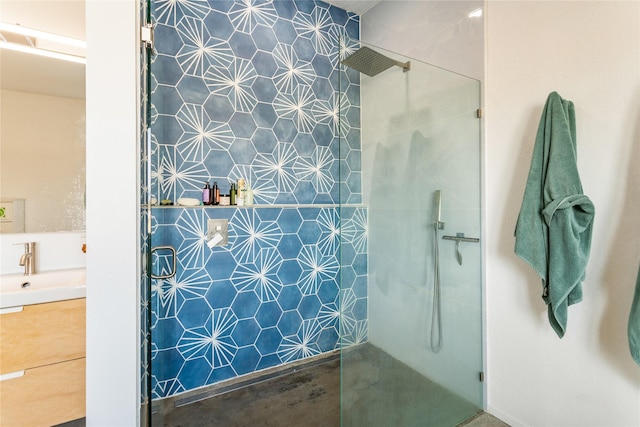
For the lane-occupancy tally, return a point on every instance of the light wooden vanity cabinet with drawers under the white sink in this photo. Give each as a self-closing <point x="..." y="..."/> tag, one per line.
<point x="42" y="363"/>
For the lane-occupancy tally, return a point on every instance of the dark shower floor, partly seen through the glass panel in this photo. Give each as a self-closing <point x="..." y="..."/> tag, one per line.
<point x="378" y="391"/>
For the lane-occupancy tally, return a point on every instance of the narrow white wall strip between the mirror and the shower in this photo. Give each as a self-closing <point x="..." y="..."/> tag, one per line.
<point x="113" y="294"/>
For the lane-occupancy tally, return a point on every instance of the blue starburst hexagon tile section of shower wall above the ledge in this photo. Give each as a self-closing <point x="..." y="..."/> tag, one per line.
<point x="248" y="89"/>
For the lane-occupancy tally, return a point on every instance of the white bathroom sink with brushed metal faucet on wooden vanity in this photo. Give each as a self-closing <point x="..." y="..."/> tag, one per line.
<point x="18" y="289"/>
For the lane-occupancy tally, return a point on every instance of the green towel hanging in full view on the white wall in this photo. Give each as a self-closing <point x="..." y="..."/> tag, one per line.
<point x="553" y="232"/>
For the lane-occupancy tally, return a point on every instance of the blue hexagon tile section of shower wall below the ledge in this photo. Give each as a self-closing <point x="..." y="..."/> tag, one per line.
<point x="269" y="297"/>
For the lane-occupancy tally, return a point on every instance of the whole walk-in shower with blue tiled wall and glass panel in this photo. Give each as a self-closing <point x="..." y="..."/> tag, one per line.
<point x="335" y="257"/>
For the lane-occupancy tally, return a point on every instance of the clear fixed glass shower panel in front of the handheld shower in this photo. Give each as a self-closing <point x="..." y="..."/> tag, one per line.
<point x="419" y="354"/>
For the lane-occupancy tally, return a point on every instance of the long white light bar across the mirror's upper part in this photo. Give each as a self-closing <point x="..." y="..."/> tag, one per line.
<point x="28" y="40"/>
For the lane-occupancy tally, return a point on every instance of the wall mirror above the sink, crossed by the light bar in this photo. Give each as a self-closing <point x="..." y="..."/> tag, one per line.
<point x="42" y="123"/>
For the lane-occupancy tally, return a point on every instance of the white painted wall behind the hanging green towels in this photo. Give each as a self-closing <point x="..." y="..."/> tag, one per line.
<point x="590" y="53"/>
